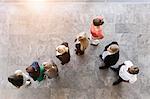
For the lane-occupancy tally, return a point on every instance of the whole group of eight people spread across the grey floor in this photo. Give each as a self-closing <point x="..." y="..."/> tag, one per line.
<point x="126" y="72"/>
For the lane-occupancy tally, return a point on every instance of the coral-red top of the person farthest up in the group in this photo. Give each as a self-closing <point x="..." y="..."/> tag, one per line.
<point x="97" y="31"/>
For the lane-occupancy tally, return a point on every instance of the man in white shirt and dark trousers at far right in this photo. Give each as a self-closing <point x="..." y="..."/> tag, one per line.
<point x="127" y="72"/>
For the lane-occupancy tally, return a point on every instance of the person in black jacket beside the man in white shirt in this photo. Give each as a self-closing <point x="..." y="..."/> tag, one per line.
<point x="110" y="55"/>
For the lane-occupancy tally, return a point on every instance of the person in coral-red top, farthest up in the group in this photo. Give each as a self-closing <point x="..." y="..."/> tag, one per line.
<point x="96" y="30"/>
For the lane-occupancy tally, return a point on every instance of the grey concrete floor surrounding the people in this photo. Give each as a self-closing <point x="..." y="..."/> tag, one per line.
<point x="28" y="33"/>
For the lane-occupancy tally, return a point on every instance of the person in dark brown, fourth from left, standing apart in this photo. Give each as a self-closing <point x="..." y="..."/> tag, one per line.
<point x="62" y="53"/>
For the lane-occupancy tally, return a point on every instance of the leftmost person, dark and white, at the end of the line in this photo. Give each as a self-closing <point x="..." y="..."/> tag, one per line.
<point x="19" y="79"/>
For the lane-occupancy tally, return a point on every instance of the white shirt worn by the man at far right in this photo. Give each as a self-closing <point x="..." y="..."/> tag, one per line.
<point x="125" y="75"/>
